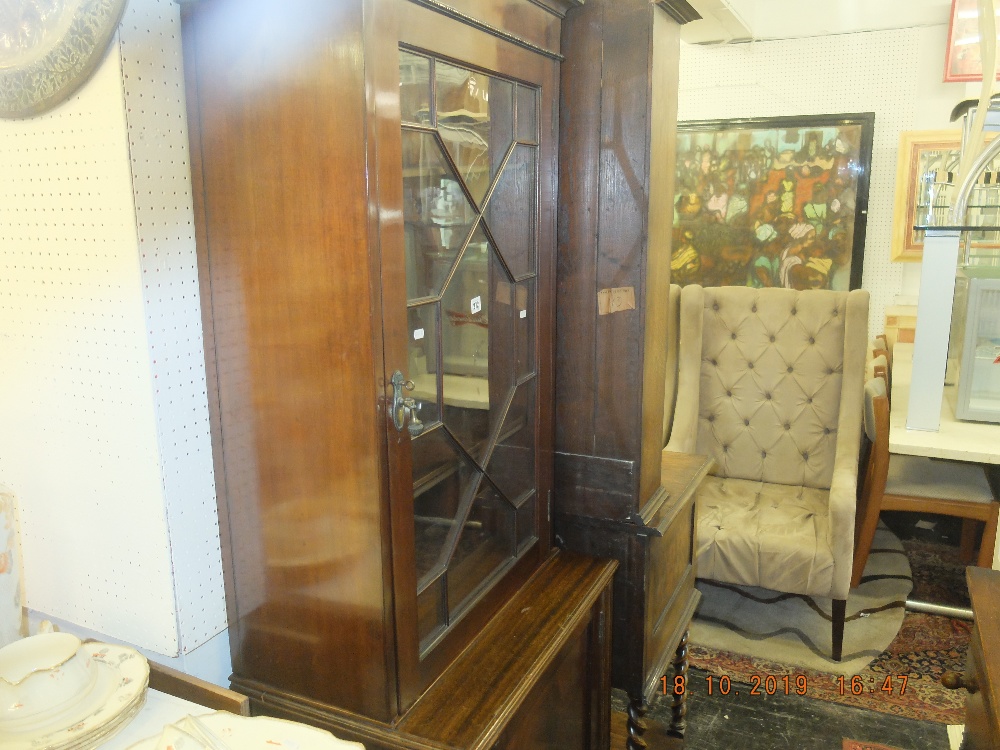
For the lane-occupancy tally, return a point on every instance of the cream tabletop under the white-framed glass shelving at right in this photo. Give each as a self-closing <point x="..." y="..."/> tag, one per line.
<point x="957" y="440"/>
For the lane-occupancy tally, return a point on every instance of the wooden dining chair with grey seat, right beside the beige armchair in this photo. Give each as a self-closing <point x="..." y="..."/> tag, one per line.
<point x="920" y="484"/>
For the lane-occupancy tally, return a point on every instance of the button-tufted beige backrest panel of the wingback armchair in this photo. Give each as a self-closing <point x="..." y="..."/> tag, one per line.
<point x="771" y="372"/>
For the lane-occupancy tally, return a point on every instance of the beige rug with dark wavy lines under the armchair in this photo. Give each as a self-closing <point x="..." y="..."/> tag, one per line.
<point x="796" y="630"/>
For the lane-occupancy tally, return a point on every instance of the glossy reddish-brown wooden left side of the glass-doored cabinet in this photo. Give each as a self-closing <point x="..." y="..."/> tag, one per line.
<point x="281" y="107"/>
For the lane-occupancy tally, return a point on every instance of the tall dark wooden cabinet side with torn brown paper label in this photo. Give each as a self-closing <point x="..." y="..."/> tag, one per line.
<point x="616" y="185"/>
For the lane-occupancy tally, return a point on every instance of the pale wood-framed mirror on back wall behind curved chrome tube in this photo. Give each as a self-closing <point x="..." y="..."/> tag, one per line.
<point x="925" y="172"/>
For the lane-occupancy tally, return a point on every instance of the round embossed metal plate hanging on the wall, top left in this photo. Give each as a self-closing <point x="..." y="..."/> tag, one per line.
<point x="48" y="48"/>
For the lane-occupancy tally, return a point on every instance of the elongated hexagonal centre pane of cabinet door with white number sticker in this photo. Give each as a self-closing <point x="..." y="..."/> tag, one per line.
<point x="478" y="344"/>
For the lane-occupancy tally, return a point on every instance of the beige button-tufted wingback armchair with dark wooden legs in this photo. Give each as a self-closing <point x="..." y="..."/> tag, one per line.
<point x="771" y="384"/>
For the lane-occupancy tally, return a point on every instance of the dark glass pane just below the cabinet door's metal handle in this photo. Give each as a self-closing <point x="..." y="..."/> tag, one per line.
<point x="442" y="477"/>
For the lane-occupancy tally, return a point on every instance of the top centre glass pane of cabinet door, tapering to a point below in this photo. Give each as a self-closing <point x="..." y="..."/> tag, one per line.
<point x="476" y="123"/>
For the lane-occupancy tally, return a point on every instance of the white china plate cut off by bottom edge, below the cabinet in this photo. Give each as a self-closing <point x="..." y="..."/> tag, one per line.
<point x="225" y="731"/>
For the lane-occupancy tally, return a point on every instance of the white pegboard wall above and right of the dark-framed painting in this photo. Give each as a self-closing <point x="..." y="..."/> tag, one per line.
<point x="865" y="72"/>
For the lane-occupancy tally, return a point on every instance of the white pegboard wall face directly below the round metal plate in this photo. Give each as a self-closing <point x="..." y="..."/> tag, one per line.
<point x="77" y="431"/>
